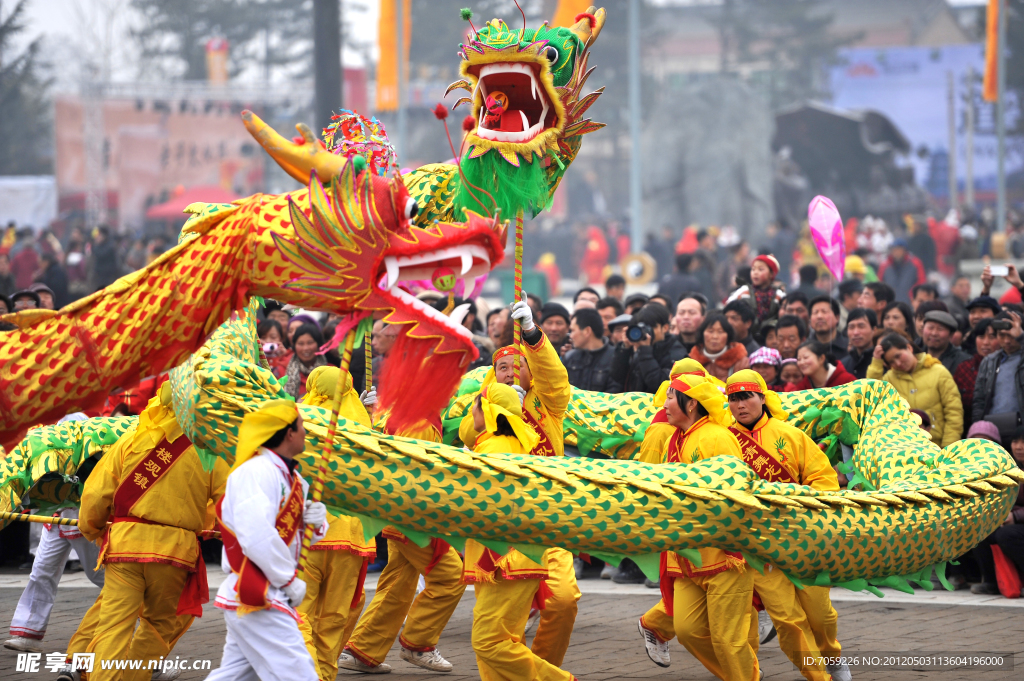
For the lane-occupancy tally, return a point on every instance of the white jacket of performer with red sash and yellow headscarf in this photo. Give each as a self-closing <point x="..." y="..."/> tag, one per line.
<point x="254" y="496"/>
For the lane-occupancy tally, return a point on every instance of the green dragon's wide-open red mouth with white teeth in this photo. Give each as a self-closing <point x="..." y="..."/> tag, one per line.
<point x="527" y="110"/>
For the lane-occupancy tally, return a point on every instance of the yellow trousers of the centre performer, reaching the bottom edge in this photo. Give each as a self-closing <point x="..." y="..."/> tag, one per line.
<point x="499" y="620"/>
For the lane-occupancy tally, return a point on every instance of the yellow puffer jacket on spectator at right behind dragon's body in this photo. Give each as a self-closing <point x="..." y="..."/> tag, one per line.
<point x="929" y="388"/>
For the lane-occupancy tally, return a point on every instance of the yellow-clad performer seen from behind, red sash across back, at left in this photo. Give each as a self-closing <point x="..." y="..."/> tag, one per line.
<point x="147" y="500"/>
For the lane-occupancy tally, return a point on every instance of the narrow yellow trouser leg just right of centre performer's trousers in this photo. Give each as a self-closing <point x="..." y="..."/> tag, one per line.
<point x="559" y="617"/>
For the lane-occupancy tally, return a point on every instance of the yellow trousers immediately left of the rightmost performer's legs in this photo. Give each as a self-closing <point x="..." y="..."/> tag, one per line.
<point x="712" y="619"/>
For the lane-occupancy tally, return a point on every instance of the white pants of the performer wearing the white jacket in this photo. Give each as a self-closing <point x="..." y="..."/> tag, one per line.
<point x="266" y="646"/>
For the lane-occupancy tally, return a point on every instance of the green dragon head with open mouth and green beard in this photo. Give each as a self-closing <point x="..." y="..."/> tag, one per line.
<point x="526" y="93"/>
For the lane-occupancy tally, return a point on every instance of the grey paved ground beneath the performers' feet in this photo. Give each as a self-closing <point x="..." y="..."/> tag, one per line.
<point x="606" y="644"/>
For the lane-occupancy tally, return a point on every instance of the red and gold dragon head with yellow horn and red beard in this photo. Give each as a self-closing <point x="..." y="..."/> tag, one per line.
<point x="347" y="248"/>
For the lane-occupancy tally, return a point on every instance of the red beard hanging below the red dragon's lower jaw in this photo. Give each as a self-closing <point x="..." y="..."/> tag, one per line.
<point x="417" y="382"/>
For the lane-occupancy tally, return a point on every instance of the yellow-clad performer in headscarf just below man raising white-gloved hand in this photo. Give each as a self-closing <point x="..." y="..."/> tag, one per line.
<point x="507" y="586"/>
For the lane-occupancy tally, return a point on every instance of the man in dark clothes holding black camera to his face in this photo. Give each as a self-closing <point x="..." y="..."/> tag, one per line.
<point x="645" y="360"/>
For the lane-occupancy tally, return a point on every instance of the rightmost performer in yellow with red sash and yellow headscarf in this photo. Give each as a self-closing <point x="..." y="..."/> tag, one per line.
<point x="781" y="453"/>
